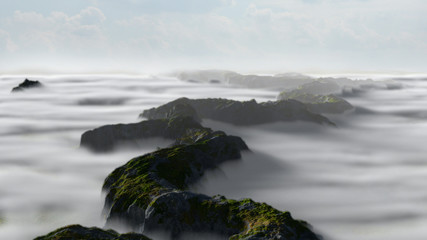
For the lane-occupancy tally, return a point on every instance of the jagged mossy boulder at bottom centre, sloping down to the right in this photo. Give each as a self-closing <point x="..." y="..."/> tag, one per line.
<point x="179" y="212"/>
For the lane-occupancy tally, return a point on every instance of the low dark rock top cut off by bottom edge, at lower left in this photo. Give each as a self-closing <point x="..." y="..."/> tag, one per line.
<point x="76" y="232"/>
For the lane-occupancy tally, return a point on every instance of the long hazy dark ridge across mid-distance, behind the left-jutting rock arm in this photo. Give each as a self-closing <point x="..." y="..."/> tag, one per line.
<point x="241" y="113"/>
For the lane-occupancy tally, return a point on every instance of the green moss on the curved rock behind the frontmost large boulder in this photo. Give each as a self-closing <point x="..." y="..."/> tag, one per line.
<point x="138" y="180"/>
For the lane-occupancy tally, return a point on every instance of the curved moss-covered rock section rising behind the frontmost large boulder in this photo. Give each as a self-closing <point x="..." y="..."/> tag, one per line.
<point x="135" y="184"/>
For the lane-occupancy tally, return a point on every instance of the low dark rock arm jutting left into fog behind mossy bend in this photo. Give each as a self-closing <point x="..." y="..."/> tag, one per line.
<point x="107" y="138"/>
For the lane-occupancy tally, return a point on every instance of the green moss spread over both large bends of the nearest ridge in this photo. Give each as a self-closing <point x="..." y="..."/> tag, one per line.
<point x="143" y="179"/>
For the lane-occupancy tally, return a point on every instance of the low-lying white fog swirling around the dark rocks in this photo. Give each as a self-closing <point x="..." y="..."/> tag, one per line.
<point x="365" y="179"/>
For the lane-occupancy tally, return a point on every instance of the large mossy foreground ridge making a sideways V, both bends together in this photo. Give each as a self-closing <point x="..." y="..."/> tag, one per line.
<point x="149" y="194"/>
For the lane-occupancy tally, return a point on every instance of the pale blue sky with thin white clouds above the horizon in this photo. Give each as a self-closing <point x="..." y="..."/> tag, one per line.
<point x="244" y="35"/>
